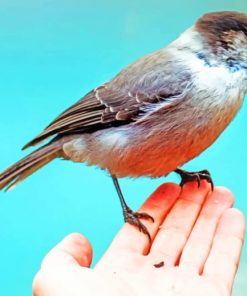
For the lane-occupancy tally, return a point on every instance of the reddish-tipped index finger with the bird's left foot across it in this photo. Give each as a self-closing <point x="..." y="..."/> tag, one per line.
<point x="157" y="205"/>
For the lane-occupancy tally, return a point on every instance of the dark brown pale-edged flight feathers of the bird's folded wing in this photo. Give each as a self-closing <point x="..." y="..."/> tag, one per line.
<point x="98" y="109"/>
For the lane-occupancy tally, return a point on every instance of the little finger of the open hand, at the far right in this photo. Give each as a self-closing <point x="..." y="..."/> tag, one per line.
<point x="223" y="260"/>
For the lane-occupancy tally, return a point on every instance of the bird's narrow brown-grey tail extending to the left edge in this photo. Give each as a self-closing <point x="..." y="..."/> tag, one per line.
<point x="28" y="165"/>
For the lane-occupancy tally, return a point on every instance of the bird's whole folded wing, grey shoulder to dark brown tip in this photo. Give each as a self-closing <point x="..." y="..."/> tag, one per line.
<point x="122" y="100"/>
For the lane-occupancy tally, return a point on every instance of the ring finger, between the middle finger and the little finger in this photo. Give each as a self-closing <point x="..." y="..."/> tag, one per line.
<point x="200" y="240"/>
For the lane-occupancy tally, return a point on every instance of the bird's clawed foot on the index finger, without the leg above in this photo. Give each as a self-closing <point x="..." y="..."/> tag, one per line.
<point x="133" y="218"/>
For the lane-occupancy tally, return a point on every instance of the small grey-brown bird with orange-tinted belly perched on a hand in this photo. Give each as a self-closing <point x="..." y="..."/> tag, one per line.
<point x="155" y="115"/>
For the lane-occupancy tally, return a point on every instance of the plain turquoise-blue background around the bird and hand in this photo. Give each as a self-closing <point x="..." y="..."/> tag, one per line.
<point x="51" y="53"/>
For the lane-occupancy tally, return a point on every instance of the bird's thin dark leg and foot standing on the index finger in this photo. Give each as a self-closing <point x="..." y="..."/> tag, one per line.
<point x="131" y="217"/>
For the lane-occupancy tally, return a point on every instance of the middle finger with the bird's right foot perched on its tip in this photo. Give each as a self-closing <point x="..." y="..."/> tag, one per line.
<point x="178" y="224"/>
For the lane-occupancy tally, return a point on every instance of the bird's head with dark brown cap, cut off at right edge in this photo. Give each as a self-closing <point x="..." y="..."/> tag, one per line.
<point x="225" y="35"/>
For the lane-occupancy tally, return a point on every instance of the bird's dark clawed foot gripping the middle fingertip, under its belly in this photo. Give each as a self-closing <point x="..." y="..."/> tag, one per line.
<point x="194" y="176"/>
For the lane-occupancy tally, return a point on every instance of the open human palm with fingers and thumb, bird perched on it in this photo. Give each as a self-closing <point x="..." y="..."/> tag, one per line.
<point x="197" y="236"/>
